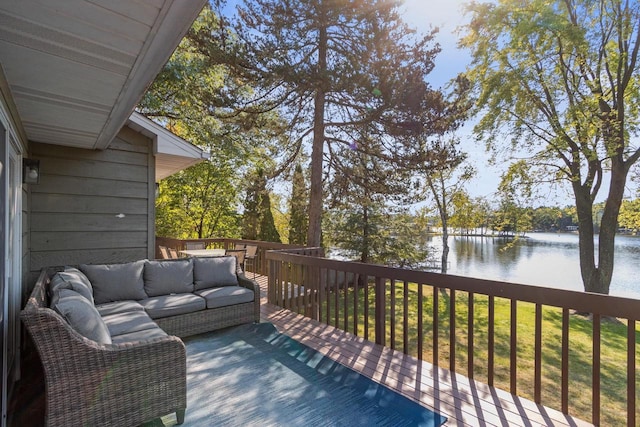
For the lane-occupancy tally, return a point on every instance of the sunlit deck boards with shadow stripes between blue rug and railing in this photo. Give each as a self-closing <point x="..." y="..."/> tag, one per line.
<point x="463" y="401"/>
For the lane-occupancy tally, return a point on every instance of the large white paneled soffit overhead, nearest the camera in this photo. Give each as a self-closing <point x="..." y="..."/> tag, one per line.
<point x="77" y="68"/>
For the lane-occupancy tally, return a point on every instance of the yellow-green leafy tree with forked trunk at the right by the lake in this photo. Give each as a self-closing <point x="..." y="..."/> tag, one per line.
<point x="561" y="77"/>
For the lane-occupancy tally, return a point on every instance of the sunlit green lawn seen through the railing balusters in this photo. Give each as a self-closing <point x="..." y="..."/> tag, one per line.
<point x="613" y="344"/>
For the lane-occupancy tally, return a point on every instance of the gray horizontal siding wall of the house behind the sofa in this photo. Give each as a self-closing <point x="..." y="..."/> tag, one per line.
<point x="93" y="206"/>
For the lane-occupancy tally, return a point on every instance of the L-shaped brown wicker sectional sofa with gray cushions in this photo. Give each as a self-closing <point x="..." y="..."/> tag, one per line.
<point x="109" y="335"/>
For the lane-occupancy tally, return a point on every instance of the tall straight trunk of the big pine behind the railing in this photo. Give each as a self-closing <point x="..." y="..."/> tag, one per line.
<point x="316" y="193"/>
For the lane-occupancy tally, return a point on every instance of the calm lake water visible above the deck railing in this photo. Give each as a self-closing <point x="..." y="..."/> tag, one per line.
<point x="544" y="259"/>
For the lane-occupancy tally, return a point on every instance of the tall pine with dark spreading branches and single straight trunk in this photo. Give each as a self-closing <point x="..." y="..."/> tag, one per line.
<point x="332" y="67"/>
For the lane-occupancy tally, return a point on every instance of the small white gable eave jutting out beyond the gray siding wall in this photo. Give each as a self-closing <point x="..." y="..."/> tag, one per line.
<point x="172" y="153"/>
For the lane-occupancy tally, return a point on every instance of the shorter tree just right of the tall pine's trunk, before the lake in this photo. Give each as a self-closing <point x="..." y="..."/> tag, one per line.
<point x="364" y="196"/>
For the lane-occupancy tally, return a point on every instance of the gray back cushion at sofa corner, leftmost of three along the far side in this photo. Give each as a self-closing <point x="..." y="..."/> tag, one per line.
<point x="116" y="282"/>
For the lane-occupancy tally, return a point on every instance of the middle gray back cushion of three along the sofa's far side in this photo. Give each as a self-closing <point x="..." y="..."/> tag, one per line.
<point x="168" y="277"/>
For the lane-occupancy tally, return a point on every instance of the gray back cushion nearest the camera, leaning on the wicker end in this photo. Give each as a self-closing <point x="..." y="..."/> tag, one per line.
<point x="82" y="315"/>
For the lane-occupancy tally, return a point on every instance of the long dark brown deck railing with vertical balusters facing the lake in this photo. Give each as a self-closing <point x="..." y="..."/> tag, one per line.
<point x="374" y="301"/>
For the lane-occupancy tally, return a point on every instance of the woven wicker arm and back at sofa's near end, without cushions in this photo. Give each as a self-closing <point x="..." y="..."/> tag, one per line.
<point x="104" y="385"/>
